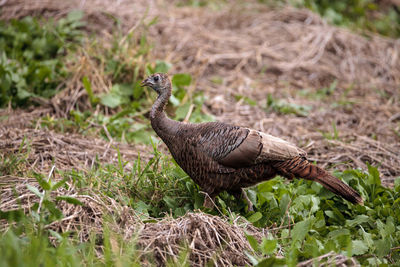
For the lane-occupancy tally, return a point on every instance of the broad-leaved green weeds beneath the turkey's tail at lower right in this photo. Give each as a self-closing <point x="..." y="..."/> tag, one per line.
<point x="309" y="221"/>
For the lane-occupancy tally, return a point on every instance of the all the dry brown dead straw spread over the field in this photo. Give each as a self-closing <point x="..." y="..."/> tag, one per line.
<point x="252" y="50"/>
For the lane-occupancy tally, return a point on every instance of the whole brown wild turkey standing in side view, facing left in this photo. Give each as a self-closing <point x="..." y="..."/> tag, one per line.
<point x="219" y="156"/>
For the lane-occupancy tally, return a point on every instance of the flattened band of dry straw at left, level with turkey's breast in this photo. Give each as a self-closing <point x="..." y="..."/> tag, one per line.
<point x="68" y="151"/>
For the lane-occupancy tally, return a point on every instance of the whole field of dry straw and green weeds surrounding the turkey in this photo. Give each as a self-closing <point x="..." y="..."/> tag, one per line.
<point x="84" y="180"/>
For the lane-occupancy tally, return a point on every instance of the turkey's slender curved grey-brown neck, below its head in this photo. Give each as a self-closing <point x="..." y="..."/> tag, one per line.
<point x="162" y="125"/>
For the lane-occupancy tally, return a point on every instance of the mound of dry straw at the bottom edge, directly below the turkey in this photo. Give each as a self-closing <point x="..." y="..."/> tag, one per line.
<point x="208" y="238"/>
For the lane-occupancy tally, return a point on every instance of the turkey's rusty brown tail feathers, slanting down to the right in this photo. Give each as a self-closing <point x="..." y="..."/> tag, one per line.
<point x="300" y="167"/>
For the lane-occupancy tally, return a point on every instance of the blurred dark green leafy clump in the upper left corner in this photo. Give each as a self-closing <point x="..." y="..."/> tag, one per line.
<point x="32" y="57"/>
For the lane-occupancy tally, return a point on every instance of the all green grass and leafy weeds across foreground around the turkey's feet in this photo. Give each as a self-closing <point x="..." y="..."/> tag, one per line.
<point x="312" y="220"/>
